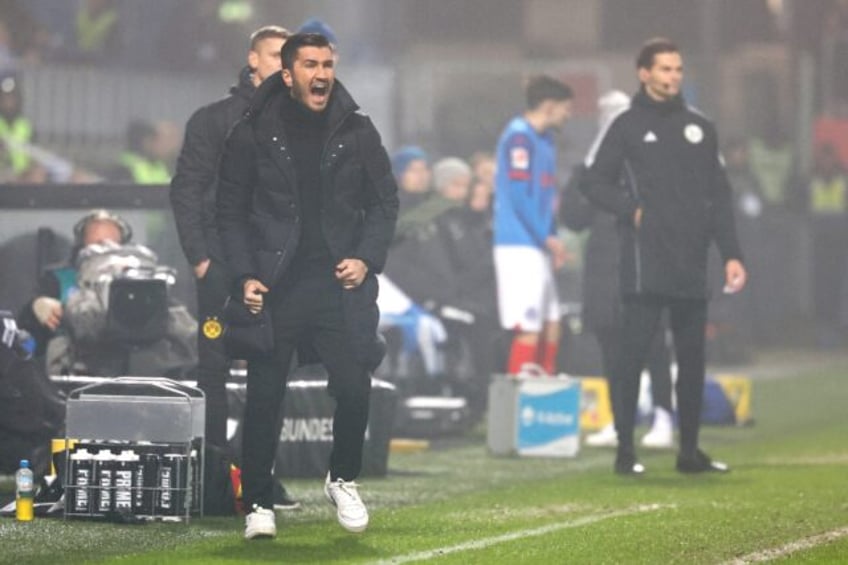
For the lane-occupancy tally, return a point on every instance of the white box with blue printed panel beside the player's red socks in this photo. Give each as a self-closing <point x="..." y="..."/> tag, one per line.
<point x="534" y="416"/>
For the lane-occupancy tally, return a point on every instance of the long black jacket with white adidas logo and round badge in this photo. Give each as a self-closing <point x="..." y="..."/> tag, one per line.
<point x="668" y="156"/>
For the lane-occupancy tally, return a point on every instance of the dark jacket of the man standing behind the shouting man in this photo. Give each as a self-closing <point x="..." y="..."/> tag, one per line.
<point x="194" y="184"/>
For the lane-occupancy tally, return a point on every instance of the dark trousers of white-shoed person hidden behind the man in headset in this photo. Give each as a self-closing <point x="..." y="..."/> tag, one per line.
<point x="658" y="364"/>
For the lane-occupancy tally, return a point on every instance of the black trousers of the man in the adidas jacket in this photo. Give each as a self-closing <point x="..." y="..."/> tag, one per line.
<point x="688" y="319"/>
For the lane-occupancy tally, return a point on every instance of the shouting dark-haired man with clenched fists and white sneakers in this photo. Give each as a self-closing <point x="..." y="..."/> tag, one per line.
<point x="307" y="208"/>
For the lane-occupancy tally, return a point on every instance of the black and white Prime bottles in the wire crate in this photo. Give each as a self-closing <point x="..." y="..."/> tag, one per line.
<point x="117" y="480"/>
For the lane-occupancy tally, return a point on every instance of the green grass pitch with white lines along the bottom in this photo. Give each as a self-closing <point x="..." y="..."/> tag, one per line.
<point x="787" y="493"/>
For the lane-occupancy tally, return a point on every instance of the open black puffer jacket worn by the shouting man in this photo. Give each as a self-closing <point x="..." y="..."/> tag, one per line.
<point x="258" y="209"/>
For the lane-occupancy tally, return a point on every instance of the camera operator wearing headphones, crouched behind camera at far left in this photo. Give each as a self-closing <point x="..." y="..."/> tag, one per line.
<point x="68" y="318"/>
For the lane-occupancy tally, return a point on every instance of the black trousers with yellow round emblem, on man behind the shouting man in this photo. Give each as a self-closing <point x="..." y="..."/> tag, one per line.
<point x="213" y="367"/>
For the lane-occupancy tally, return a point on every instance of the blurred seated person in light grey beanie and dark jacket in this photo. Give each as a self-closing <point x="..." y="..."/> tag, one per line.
<point x="442" y="260"/>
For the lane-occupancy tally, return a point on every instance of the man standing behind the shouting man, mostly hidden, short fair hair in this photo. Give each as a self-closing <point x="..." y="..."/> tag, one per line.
<point x="193" y="202"/>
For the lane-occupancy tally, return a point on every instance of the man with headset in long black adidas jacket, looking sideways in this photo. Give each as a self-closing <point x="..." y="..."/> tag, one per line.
<point x="674" y="201"/>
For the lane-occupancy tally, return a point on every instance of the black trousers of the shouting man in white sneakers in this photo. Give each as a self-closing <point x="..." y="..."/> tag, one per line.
<point x="306" y="308"/>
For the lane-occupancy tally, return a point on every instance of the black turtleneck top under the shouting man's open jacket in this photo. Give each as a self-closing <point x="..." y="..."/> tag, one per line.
<point x="306" y="133"/>
